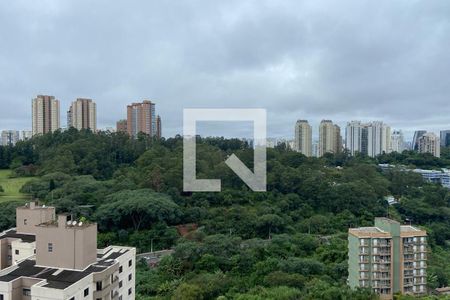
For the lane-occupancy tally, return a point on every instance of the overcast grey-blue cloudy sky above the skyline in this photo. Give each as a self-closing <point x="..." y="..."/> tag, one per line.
<point x="339" y="60"/>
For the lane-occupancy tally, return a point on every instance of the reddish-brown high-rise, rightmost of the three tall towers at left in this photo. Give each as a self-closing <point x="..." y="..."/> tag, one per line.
<point x="141" y="117"/>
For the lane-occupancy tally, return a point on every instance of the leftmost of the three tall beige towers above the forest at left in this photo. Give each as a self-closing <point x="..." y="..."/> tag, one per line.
<point x="45" y="114"/>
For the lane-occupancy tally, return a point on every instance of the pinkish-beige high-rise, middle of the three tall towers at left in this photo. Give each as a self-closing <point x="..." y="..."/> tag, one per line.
<point x="82" y="114"/>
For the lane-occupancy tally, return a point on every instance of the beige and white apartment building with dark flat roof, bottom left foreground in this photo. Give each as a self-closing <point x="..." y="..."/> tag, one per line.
<point x="48" y="258"/>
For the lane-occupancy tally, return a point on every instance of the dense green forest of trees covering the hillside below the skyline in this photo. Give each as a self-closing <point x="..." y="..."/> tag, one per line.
<point x="287" y="243"/>
